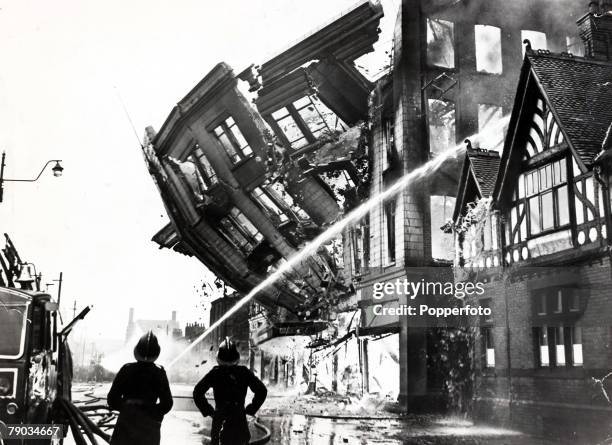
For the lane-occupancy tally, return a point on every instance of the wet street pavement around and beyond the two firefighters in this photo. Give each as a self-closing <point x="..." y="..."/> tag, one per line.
<point x="325" y="422"/>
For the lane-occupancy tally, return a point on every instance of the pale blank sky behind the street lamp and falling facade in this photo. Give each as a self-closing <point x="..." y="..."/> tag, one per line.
<point x="66" y="67"/>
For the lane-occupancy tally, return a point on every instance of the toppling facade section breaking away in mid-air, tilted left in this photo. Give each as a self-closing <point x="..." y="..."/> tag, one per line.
<point x="246" y="187"/>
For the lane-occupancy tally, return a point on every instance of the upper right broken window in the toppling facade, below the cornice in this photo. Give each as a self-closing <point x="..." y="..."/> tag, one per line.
<point x="305" y="120"/>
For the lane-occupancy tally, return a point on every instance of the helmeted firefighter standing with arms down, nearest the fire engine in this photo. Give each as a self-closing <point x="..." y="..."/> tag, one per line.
<point x="135" y="393"/>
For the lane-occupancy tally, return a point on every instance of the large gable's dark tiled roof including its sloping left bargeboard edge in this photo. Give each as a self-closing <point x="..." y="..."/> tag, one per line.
<point x="578" y="92"/>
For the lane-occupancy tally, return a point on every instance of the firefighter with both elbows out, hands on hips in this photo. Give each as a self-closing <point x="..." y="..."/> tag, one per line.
<point x="229" y="382"/>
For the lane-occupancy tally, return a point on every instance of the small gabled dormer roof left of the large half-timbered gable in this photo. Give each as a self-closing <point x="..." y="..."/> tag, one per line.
<point x="480" y="167"/>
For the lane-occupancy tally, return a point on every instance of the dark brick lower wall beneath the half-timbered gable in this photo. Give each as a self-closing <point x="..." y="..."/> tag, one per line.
<point x="556" y="401"/>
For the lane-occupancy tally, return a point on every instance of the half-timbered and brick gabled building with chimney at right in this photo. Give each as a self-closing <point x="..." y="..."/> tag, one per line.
<point x="543" y="353"/>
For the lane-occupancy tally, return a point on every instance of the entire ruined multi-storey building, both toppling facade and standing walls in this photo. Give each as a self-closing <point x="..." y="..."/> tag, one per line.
<point x="246" y="185"/>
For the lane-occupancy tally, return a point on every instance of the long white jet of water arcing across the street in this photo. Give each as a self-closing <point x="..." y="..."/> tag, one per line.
<point x="492" y="135"/>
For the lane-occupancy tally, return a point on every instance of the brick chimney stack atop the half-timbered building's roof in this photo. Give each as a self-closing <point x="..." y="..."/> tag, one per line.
<point x="595" y="29"/>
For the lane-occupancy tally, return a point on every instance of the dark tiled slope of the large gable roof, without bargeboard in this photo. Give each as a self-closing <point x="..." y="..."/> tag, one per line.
<point x="579" y="91"/>
